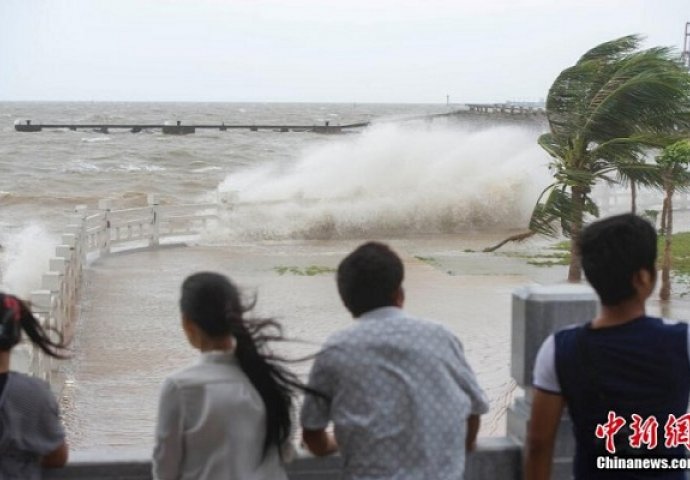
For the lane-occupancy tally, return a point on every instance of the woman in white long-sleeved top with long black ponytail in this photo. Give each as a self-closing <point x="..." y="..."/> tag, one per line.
<point x="229" y="416"/>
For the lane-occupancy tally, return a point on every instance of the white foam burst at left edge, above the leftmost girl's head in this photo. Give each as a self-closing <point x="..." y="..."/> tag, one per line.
<point x="25" y="257"/>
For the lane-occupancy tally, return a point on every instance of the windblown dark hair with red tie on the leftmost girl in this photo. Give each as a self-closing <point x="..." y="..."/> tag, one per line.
<point x="16" y="316"/>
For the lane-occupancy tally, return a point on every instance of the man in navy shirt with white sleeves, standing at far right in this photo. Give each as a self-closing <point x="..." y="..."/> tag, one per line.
<point x="624" y="376"/>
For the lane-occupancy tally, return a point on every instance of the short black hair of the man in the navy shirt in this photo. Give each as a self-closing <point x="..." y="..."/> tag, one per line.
<point x="613" y="250"/>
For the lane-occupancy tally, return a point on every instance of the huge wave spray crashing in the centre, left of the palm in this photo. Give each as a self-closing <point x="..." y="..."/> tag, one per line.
<point x="392" y="180"/>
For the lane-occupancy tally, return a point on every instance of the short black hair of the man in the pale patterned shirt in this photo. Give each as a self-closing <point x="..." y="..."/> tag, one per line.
<point x="369" y="277"/>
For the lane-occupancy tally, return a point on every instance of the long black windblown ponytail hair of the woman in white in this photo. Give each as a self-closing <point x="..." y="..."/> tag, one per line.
<point x="212" y="302"/>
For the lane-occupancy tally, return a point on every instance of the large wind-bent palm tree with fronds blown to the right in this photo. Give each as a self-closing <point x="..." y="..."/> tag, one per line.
<point x="604" y="113"/>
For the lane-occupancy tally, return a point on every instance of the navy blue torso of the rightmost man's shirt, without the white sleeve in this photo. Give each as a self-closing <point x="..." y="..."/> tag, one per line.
<point x="640" y="367"/>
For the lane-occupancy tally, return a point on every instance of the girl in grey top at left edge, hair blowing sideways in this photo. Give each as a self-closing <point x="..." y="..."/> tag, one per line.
<point x="31" y="435"/>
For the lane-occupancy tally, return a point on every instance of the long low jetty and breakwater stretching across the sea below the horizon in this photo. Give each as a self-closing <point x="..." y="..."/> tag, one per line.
<point x="510" y="110"/>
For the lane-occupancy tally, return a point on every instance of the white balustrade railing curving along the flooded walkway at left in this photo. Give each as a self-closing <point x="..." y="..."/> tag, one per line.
<point x="90" y="235"/>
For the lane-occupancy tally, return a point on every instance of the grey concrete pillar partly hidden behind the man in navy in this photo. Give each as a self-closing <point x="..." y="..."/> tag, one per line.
<point x="539" y="311"/>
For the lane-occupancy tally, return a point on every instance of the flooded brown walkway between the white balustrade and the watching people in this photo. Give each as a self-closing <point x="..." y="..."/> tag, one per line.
<point x="129" y="336"/>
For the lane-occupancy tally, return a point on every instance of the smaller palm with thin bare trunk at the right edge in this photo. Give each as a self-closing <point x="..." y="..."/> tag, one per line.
<point x="673" y="163"/>
